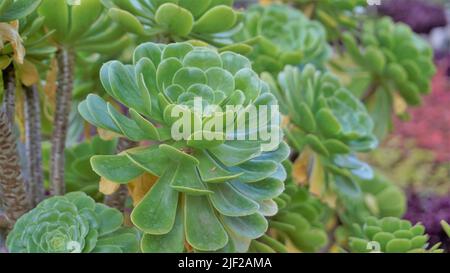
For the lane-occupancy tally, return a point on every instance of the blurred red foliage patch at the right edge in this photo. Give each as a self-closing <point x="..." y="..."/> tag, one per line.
<point x="429" y="125"/>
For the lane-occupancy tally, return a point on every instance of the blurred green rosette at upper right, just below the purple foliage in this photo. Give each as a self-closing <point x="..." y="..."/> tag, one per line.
<point x="397" y="59"/>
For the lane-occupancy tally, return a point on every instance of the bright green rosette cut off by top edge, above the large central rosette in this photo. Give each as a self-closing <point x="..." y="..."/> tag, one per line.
<point x="211" y="21"/>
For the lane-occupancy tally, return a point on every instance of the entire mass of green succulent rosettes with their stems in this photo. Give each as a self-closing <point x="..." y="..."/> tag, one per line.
<point x="129" y="103"/>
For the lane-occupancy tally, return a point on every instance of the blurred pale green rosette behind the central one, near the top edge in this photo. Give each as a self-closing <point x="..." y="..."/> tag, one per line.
<point x="282" y="36"/>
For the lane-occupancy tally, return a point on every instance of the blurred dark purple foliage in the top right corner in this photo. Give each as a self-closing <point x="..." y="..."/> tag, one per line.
<point x="421" y="16"/>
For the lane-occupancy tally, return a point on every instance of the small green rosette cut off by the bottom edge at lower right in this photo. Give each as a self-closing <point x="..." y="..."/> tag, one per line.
<point x="390" y="235"/>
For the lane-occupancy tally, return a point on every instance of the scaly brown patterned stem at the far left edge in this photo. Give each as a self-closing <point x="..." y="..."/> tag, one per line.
<point x="14" y="195"/>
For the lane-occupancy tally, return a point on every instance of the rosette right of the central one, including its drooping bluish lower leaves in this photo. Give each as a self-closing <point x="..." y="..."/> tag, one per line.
<point x="326" y="118"/>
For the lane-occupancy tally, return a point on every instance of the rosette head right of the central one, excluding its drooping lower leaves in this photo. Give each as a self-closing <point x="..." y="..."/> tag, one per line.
<point x="317" y="105"/>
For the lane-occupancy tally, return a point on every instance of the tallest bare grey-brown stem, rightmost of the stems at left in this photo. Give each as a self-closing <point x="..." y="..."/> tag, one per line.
<point x="61" y="117"/>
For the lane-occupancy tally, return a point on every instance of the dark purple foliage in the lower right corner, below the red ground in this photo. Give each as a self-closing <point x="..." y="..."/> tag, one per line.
<point x="430" y="210"/>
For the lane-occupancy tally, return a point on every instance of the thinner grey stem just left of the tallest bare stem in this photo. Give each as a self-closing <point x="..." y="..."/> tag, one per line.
<point x="33" y="144"/>
